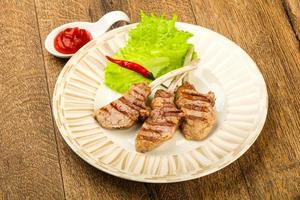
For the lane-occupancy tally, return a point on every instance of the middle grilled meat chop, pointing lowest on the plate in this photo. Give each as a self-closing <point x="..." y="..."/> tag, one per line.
<point x="161" y="124"/>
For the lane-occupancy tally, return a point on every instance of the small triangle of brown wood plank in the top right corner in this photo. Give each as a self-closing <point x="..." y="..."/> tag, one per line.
<point x="292" y="7"/>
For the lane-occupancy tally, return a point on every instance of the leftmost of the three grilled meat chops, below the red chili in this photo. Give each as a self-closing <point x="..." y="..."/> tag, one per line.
<point x="125" y="111"/>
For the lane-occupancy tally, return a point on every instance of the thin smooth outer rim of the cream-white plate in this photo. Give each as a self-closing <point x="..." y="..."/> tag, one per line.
<point x="75" y="149"/>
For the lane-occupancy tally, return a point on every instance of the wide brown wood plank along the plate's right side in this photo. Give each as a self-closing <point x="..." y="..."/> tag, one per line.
<point x="271" y="167"/>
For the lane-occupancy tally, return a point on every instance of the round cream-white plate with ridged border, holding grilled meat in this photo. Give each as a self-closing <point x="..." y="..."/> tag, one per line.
<point x="225" y="69"/>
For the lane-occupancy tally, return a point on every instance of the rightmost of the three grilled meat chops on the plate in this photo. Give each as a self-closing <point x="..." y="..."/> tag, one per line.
<point x="199" y="115"/>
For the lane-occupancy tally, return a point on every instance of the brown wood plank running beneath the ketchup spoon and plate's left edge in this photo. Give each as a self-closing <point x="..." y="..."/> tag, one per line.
<point x="81" y="181"/>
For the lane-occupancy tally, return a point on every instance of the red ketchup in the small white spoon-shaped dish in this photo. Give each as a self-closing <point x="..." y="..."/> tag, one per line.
<point x="71" y="40"/>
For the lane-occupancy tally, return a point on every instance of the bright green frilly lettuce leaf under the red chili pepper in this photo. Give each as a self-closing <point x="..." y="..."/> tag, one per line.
<point x="155" y="44"/>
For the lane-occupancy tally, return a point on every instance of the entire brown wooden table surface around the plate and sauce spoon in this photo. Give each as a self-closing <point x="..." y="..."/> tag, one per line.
<point x="35" y="162"/>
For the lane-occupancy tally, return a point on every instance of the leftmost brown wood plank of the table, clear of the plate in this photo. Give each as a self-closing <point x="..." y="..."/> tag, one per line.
<point x="29" y="166"/>
